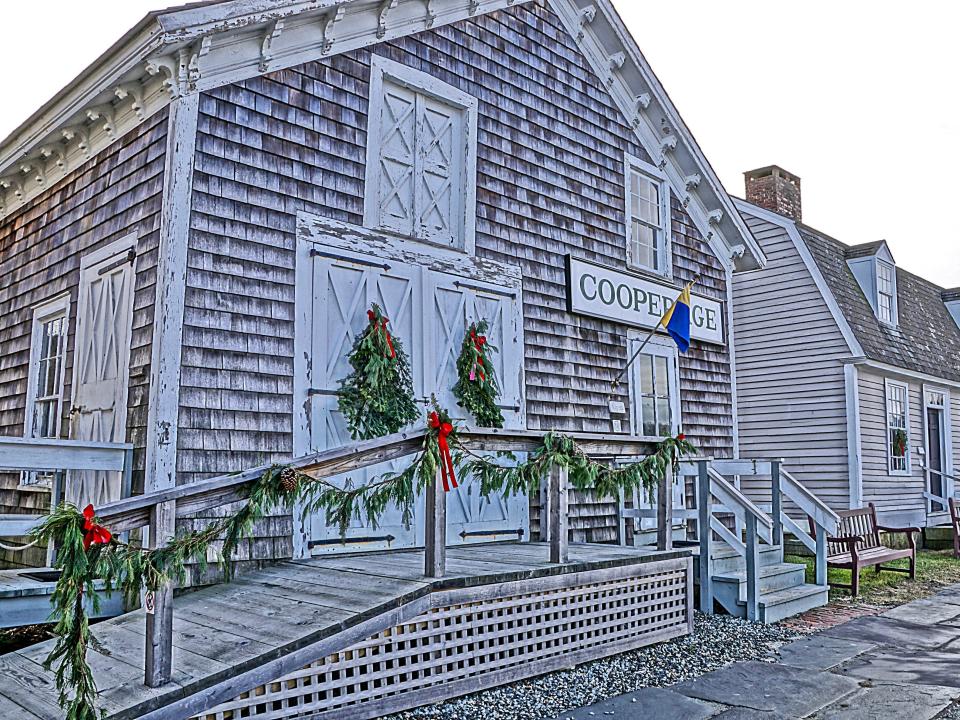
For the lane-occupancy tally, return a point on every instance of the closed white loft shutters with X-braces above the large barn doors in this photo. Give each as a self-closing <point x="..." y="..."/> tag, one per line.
<point x="421" y="157"/>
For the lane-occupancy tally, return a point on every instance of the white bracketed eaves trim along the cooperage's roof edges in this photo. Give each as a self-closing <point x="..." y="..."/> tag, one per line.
<point x="208" y="44"/>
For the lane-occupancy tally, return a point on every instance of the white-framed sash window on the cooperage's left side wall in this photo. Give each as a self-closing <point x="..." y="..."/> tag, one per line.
<point x="48" y="351"/>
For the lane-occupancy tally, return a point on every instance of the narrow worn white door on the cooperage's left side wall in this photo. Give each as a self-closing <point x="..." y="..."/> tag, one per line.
<point x="101" y="364"/>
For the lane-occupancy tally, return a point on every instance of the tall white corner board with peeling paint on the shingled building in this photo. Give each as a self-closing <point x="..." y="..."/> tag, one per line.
<point x="164" y="400"/>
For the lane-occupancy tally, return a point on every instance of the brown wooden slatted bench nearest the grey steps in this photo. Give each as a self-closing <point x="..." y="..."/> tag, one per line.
<point x="858" y="545"/>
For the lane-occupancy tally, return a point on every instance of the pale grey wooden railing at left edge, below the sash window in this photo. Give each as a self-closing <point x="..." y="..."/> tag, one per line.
<point x="59" y="457"/>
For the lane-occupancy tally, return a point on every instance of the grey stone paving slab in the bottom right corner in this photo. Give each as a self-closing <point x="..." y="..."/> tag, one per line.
<point x="891" y="700"/>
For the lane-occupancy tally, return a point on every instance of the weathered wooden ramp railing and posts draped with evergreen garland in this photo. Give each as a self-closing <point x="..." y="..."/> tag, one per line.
<point x="159" y="510"/>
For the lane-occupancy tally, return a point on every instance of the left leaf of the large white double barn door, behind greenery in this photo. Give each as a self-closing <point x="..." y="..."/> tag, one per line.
<point x="343" y="291"/>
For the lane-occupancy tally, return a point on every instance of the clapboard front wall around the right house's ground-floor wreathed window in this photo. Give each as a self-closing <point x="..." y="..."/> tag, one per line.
<point x="899" y="498"/>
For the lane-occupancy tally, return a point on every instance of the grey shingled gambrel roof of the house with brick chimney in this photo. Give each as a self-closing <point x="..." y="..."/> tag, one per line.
<point x="926" y="339"/>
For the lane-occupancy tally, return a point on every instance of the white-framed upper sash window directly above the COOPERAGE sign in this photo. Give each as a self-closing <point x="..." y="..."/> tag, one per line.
<point x="648" y="217"/>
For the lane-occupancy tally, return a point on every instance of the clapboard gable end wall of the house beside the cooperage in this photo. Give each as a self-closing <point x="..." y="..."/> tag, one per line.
<point x="790" y="386"/>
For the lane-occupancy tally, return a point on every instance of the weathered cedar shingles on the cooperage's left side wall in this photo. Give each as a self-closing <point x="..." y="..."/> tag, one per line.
<point x="108" y="197"/>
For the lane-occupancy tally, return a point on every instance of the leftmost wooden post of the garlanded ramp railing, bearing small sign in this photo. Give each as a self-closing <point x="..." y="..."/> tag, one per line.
<point x="158" y="660"/>
